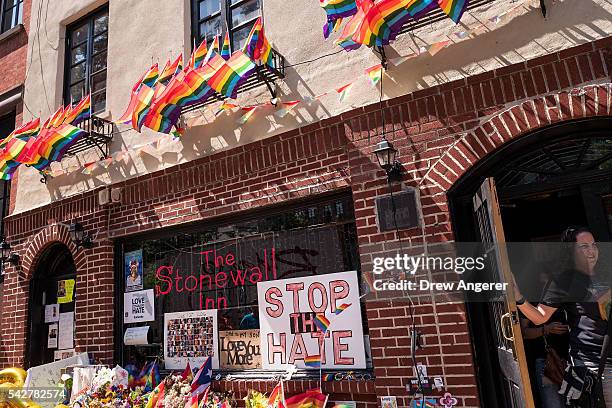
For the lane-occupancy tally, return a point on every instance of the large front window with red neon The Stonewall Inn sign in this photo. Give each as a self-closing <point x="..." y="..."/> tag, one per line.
<point x="218" y="267"/>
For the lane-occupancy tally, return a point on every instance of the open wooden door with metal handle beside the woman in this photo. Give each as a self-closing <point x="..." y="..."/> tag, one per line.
<point x="505" y="322"/>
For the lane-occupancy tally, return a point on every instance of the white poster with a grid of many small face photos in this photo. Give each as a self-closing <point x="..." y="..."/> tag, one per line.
<point x="190" y="336"/>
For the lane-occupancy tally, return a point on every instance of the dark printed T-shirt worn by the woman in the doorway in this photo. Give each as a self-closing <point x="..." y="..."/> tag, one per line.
<point x="586" y="303"/>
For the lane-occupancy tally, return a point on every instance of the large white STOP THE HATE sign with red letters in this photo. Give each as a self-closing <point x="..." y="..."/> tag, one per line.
<point x="290" y="314"/>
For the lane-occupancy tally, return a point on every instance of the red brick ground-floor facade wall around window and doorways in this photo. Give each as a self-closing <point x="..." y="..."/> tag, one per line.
<point x="440" y="133"/>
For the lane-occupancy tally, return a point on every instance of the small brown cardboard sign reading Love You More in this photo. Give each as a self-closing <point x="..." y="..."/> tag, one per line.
<point x="239" y="349"/>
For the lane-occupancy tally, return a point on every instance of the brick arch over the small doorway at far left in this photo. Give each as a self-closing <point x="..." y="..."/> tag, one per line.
<point x="41" y="241"/>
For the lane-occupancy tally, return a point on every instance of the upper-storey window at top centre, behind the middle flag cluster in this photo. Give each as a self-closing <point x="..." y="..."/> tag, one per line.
<point x="212" y="17"/>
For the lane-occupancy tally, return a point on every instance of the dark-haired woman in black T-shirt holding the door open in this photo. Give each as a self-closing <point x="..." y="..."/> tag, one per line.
<point x="586" y="303"/>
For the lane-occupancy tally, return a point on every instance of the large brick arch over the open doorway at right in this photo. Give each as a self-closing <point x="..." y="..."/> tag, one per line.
<point x="515" y="121"/>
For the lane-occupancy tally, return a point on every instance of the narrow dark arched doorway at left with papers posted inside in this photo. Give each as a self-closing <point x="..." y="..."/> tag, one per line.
<point x="50" y="285"/>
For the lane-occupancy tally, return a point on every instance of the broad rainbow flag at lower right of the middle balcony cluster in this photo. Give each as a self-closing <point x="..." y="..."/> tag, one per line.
<point x="230" y="74"/>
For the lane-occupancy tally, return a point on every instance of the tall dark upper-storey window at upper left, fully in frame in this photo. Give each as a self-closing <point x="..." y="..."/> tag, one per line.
<point x="86" y="53"/>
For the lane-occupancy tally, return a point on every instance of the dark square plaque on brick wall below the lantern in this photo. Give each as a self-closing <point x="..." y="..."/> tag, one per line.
<point x="397" y="211"/>
